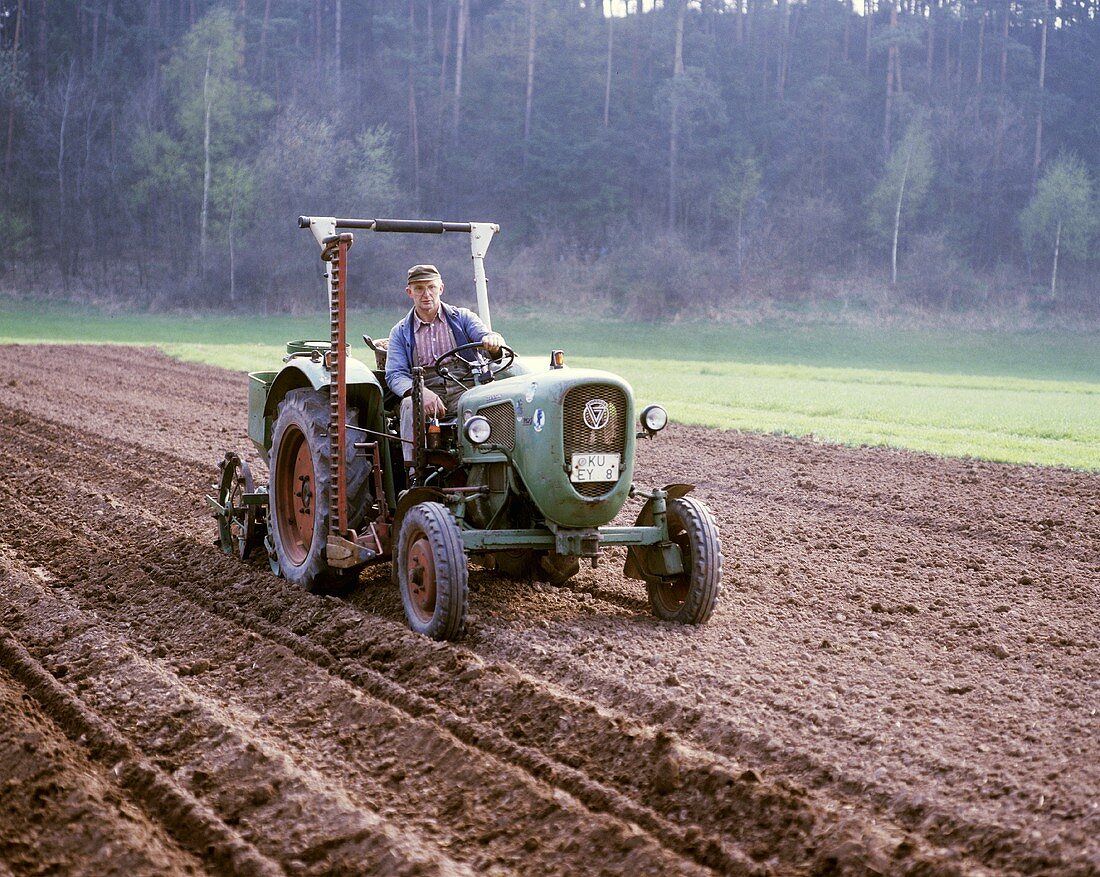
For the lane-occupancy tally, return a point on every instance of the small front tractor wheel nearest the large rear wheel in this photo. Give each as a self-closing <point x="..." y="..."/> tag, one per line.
<point x="433" y="573"/>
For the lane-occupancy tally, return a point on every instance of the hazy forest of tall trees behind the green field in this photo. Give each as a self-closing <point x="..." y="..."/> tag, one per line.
<point x="643" y="158"/>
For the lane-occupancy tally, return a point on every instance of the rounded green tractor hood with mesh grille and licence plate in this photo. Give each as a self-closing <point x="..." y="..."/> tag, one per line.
<point x="570" y="434"/>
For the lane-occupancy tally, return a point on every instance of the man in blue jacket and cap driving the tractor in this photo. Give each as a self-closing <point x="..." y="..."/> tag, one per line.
<point x="431" y="330"/>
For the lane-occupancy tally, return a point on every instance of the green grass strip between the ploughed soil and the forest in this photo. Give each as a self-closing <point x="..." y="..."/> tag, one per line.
<point x="1027" y="398"/>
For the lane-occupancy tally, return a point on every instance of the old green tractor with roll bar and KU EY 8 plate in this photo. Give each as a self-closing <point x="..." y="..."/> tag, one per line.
<point x="525" y="478"/>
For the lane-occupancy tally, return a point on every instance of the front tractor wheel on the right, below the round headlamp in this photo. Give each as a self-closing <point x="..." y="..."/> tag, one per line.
<point x="690" y="598"/>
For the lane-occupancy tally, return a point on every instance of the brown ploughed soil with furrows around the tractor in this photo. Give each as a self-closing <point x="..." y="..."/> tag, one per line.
<point x="903" y="677"/>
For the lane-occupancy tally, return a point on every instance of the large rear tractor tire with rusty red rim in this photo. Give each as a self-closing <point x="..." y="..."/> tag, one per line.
<point x="299" y="492"/>
